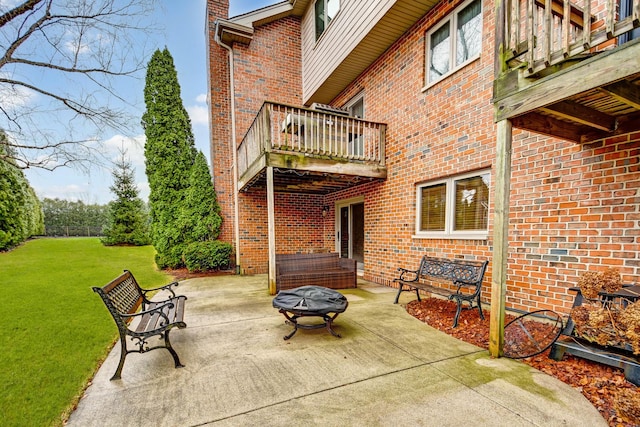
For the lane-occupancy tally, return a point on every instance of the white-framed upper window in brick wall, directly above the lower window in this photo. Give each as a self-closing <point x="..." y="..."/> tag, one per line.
<point x="455" y="42"/>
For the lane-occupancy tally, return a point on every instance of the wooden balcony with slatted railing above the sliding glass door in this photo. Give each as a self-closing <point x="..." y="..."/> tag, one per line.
<point x="310" y="151"/>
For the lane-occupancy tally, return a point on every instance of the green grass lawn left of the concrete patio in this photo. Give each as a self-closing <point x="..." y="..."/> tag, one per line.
<point x="54" y="330"/>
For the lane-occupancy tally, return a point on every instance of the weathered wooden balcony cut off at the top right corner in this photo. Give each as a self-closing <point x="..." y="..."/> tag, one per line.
<point x="568" y="69"/>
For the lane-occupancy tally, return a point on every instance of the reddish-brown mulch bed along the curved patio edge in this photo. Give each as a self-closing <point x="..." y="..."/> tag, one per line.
<point x="602" y="385"/>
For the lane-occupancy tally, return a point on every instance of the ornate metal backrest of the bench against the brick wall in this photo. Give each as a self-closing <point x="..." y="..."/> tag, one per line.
<point x="456" y="270"/>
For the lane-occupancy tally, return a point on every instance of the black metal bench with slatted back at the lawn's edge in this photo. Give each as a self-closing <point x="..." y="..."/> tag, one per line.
<point x="126" y="301"/>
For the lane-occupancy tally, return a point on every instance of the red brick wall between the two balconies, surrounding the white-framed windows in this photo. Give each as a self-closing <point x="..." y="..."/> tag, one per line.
<point x="444" y="130"/>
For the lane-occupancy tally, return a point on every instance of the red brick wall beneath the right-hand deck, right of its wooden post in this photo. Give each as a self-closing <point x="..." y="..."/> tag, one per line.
<point x="574" y="208"/>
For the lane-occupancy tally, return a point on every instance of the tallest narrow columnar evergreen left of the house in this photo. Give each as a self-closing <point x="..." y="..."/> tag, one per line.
<point x="169" y="154"/>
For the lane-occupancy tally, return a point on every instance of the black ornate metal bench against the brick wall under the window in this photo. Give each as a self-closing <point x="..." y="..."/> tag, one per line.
<point x="466" y="277"/>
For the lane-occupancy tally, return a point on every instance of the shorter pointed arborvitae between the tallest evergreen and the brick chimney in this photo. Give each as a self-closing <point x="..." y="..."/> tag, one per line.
<point x="200" y="218"/>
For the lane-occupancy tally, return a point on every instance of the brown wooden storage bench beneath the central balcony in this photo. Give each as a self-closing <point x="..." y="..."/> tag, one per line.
<point x="321" y="269"/>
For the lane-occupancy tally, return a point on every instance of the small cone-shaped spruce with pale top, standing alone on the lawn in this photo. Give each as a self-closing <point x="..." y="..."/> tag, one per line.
<point x="127" y="218"/>
